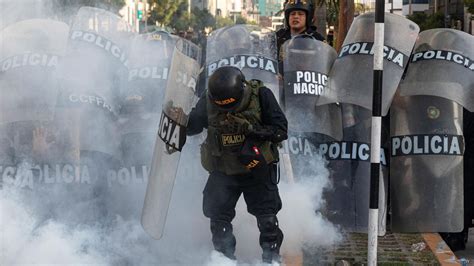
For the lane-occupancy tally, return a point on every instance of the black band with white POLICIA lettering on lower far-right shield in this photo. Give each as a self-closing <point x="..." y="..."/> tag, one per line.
<point x="427" y="145"/>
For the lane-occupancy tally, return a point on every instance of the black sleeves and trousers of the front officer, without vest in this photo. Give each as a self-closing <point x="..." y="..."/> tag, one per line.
<point x="260" y="190"/>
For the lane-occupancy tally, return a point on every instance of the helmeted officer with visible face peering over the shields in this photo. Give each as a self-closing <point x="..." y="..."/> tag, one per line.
<point x="298" y="19"/>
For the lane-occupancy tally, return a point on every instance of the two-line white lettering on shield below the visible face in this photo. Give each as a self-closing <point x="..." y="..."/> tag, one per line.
<point x="306" y="82"/>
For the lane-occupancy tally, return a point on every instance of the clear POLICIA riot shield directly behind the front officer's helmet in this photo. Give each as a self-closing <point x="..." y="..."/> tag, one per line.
<point x="248" y="47"/>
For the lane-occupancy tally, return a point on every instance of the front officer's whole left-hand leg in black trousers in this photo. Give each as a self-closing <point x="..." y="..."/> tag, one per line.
<point x="219" y="199"/>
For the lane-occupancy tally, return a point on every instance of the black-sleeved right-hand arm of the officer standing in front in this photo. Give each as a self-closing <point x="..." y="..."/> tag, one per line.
<point x="275" y="125"/>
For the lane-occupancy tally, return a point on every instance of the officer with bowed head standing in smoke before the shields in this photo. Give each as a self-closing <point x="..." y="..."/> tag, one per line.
<point x="244" y="126"/>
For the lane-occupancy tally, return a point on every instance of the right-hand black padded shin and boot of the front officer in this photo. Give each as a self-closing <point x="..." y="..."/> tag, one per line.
<point x="271" y="238"/>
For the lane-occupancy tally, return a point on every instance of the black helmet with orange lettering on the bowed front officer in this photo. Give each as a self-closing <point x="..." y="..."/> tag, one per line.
<point x="226" y="87"/>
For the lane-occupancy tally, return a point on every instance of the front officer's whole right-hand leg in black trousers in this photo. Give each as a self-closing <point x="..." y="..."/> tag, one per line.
<point x="263" y="201"/>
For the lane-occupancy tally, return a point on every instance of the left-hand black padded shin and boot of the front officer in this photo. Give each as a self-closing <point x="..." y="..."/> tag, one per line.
<point x="222" y="238"/>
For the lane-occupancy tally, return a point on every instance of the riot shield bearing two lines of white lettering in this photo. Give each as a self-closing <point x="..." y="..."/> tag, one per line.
<point x="306" y="65"/>
